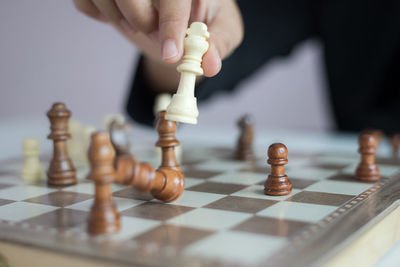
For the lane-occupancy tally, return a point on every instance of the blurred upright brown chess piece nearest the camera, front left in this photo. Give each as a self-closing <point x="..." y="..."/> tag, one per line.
<point x="103" y="217"/>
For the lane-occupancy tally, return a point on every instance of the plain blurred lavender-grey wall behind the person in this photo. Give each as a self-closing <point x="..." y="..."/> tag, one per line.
<point x="51" y="52"/>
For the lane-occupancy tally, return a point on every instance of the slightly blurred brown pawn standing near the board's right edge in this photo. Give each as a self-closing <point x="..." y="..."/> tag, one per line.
<point x="367" y="169"/>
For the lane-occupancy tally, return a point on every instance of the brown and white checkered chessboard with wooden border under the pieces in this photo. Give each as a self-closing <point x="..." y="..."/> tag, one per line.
<point x="223" y="218"/>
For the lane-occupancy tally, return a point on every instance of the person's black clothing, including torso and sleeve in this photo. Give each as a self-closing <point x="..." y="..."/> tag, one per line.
<point x="361" y="42"/>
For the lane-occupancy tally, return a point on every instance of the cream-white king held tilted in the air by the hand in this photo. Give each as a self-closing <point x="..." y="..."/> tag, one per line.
<point x="183" y="106"/>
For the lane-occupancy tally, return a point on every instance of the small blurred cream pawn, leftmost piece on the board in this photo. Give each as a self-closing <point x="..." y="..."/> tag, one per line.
<point x="32" y="170"/>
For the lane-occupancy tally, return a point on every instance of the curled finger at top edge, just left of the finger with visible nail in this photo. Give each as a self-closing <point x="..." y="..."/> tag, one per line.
<point x="140" y="14"/>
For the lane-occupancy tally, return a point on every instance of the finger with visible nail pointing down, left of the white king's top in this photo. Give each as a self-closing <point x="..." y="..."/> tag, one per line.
<point x="173" y="22"/>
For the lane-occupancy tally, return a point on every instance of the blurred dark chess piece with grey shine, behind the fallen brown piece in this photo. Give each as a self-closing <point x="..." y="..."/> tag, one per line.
<point x="119" y="137"/>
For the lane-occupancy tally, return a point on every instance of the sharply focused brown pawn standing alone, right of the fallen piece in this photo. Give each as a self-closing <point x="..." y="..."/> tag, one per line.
<point x="277" y="184"/>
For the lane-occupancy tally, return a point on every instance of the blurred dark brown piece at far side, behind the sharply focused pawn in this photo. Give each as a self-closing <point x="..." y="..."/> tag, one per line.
<point x="244" y="147"/>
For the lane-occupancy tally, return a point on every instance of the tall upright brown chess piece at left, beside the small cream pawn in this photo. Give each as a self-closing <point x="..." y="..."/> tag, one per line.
<point x="61" y="170"/>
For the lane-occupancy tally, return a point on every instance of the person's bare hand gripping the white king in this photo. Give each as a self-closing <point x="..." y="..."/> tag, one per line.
<point x="158" y="27"/>
